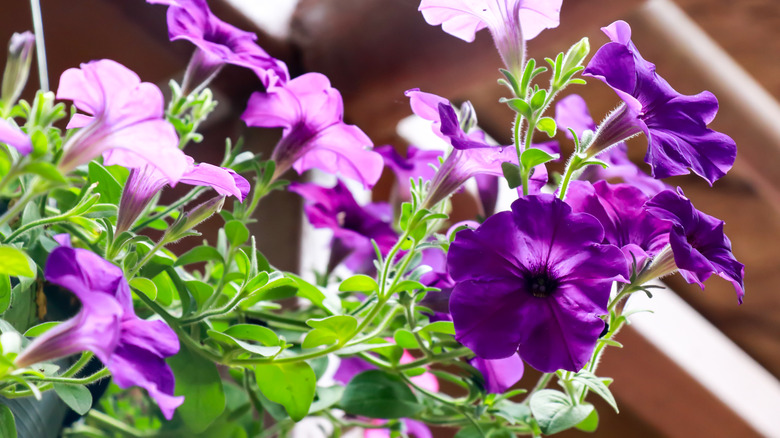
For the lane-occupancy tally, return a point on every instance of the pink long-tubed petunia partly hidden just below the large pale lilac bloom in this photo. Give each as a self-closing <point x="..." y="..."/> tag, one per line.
<point x="144" y="183"/>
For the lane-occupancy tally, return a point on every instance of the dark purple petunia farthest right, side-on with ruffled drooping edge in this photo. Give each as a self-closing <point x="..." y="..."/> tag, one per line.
<point x="699" y="246"/>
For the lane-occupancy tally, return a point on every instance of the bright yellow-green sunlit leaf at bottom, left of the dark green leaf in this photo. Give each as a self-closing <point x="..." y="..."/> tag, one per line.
<point x="290" y="384"/>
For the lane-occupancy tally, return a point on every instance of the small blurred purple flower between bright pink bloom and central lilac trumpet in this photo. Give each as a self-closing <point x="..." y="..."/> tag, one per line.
<point x="417" y="164"/>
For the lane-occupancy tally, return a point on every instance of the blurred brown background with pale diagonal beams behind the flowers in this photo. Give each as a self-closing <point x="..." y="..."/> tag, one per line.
<point x="725" y="383"/>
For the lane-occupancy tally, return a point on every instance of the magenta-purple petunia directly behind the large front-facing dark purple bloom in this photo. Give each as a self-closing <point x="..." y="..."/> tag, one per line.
<point x="620" y="209"/>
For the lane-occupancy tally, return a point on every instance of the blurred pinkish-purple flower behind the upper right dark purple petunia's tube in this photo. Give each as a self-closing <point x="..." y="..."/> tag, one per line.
<point x="572" y="112"/>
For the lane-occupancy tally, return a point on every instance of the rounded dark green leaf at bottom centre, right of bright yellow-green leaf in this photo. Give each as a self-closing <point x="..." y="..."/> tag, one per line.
<point x="377" y="394"/>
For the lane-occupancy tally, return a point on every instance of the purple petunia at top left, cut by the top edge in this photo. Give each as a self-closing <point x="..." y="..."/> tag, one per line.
<point x="218" y="43"/>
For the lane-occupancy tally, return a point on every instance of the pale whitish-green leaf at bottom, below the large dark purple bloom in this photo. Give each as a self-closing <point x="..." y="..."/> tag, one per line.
<point x="555" y="413"/>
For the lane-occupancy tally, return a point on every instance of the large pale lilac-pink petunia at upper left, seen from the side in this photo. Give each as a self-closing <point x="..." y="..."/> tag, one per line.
<point x="126" y="122"/>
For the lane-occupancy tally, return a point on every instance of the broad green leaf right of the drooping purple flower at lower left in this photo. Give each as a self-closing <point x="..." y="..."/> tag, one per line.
<point x="199" y="381"/>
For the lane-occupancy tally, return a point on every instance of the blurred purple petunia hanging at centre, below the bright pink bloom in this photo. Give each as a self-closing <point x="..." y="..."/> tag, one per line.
<point x="353" y="225"/>
